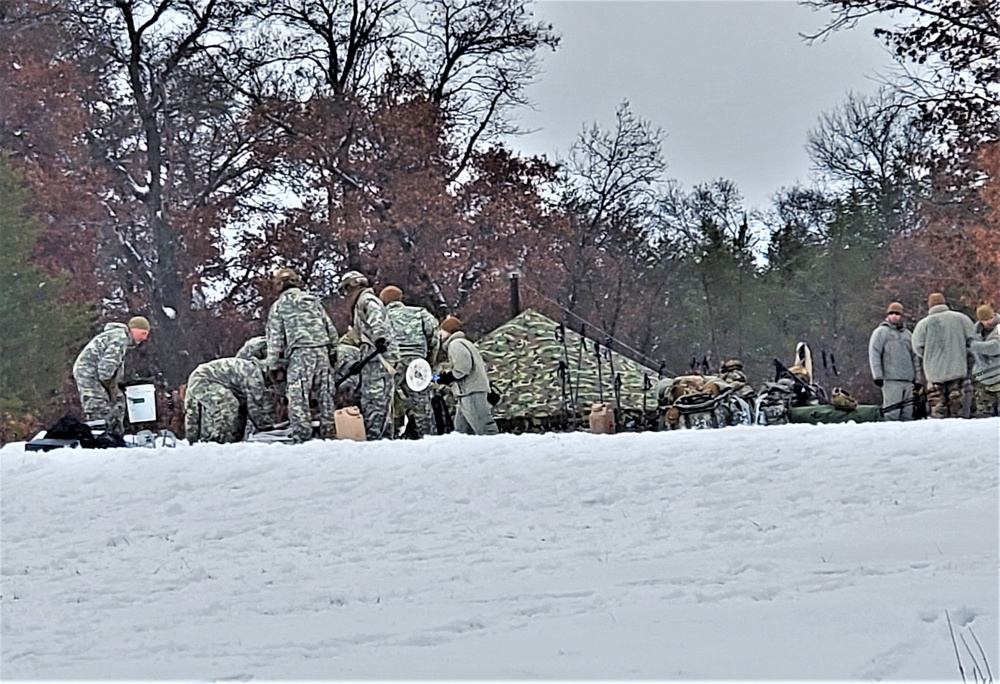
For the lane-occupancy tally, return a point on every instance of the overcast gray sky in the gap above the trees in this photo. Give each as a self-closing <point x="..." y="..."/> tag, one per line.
<point x="731" y="84"/>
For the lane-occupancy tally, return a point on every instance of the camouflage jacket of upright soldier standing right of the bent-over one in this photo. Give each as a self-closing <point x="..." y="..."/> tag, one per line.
<point x="297" y="320"/>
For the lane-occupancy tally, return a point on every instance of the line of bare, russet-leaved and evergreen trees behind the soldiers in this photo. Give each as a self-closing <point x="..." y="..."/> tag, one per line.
<point x="166" y="157"/>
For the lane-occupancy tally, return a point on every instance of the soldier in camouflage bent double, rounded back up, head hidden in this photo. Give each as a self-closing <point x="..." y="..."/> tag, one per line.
<point x="221" y="395"/>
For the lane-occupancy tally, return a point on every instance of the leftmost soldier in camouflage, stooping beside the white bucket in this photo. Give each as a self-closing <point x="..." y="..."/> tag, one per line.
<point x="100" y="367"/>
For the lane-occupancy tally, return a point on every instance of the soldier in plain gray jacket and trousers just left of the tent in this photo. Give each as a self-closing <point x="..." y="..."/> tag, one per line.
<point x="469" y="382"/>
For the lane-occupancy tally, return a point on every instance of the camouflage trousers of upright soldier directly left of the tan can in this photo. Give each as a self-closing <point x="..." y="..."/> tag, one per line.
<point x="309" y="378"/>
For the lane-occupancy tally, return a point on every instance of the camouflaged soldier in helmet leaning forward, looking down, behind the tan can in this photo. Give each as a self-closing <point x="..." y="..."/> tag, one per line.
<point x="371" y="322"/>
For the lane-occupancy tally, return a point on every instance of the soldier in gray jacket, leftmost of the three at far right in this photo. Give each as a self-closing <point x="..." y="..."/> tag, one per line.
<point x="891" y="358"/>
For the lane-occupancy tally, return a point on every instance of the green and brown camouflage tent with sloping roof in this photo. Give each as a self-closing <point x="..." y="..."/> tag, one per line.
<point x="523" y="356"/>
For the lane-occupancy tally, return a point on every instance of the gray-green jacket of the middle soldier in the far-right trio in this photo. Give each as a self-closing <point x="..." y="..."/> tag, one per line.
<point x="941" y="340"/>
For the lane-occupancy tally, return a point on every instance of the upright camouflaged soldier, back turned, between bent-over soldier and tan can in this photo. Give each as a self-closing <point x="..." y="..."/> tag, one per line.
<point x="301" y="335"/>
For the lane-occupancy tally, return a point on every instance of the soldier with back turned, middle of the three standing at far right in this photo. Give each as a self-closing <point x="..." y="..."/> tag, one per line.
<point x="941" y="340"/>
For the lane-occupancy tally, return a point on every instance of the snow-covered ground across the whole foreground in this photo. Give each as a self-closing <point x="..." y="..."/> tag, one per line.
<point x="802" y="552"/>
